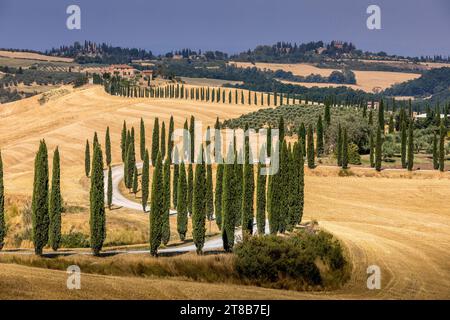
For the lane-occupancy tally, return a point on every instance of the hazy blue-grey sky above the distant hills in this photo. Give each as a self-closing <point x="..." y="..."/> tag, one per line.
<point x="409" y="27"/>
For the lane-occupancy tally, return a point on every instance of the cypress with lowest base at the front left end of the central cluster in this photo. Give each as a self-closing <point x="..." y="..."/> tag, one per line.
<point x="157" y="206"/>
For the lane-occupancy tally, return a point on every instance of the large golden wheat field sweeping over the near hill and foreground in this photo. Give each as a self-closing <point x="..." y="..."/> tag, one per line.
<point x="399" y="221"/>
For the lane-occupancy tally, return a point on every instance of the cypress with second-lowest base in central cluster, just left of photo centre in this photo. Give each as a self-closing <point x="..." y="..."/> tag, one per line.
<point x="199" y="204"/>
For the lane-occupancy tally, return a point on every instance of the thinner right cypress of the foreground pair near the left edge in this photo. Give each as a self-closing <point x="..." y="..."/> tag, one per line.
<point x="55" y="204"/>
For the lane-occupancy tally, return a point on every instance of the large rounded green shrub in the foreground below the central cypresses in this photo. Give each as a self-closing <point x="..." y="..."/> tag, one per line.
<point x="303" y="259"/>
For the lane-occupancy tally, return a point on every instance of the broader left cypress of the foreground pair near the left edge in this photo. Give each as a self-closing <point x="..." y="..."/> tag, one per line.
<point x="40" y="217"/>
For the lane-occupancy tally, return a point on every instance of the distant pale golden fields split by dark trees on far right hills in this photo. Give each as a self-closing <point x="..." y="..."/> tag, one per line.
<point x="365" y="80"/>
